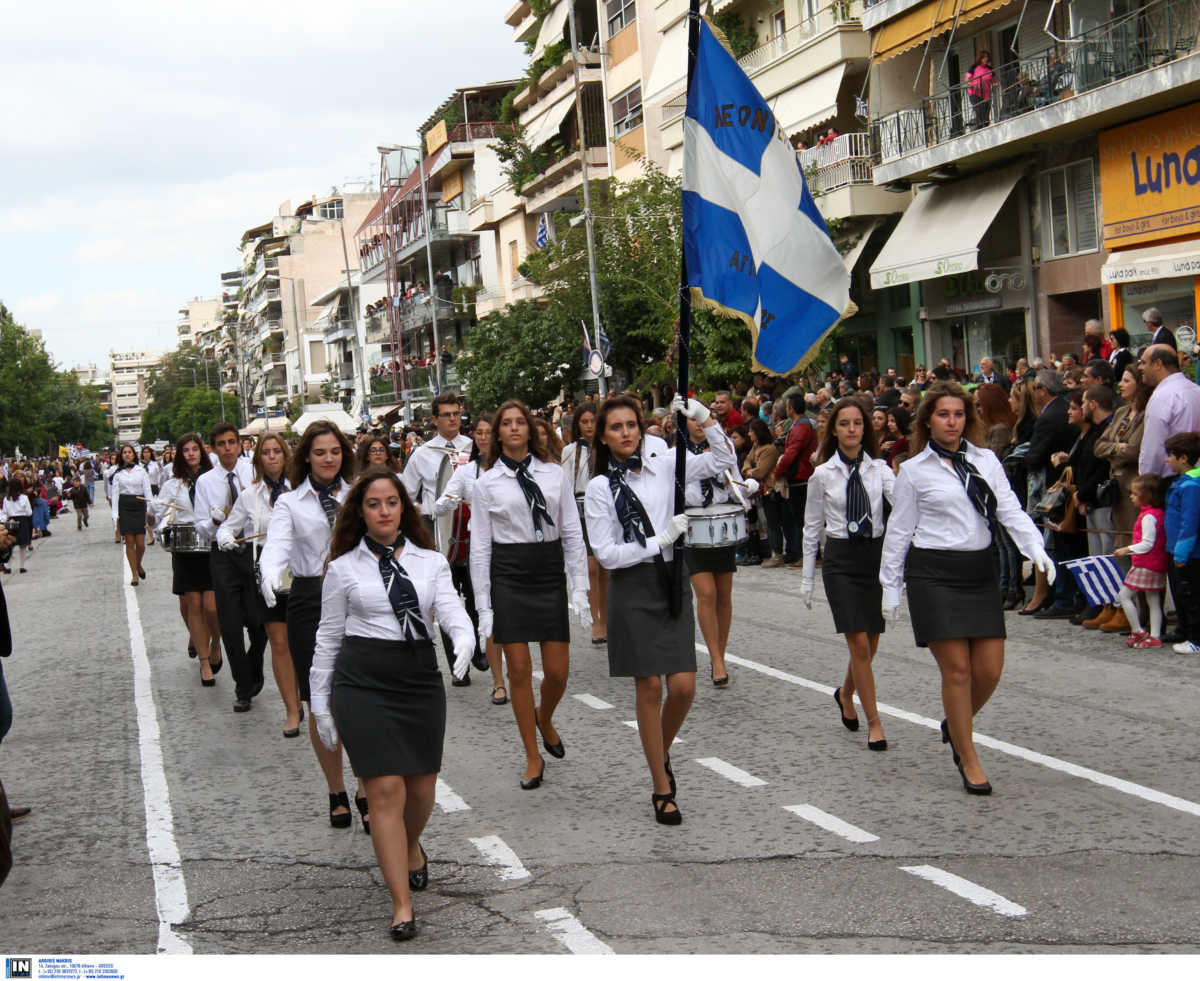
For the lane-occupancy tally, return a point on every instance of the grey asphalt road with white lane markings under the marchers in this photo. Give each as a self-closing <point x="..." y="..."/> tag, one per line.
<point x="165" y="822"/>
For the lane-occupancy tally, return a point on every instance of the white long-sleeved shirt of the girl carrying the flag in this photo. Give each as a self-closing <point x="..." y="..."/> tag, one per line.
<point x="655" y="488"/>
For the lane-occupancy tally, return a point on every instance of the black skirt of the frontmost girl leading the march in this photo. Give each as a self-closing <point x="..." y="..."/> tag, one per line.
<point x="391" y="707"/>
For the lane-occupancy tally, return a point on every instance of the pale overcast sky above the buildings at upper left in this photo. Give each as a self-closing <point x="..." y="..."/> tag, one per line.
<point x="141" y="140"/>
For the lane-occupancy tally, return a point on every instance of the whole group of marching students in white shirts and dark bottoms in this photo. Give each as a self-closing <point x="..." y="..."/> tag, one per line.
<point x="346" y="569"/>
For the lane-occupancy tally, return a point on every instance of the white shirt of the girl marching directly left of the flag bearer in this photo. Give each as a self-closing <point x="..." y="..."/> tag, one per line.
<point x="501" y="515"/>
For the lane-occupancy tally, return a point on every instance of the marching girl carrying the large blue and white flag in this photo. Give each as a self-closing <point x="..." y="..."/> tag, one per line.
<point x="631" y="525"/>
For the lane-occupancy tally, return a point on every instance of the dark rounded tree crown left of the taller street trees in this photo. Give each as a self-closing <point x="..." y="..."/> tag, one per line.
<point x="524" y="352"/>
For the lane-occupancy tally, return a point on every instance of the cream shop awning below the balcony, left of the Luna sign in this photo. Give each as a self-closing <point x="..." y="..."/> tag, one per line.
<point x="940" y="233"/>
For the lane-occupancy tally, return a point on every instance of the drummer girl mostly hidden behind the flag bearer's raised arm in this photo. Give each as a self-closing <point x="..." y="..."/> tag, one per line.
<point x="711" y="570"/>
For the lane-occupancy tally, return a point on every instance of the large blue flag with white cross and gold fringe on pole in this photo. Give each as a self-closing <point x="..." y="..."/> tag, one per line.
<point x="755" y="244"/>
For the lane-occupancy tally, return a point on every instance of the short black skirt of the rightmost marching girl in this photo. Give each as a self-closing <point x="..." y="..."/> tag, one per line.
<point x="953" y="595"/>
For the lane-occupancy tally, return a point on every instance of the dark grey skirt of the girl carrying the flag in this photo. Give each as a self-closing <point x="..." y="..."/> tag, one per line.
<point x="644" y="640"/>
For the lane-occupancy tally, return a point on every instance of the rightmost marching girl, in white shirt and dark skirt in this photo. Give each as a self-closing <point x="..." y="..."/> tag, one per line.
<point x="950" y="496"/>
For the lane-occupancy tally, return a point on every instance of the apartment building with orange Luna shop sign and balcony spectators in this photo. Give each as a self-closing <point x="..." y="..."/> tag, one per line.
<point x="1060" y="190"/>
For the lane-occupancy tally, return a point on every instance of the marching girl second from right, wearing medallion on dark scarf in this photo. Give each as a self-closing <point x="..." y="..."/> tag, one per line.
<point x="847" y="495"/>
